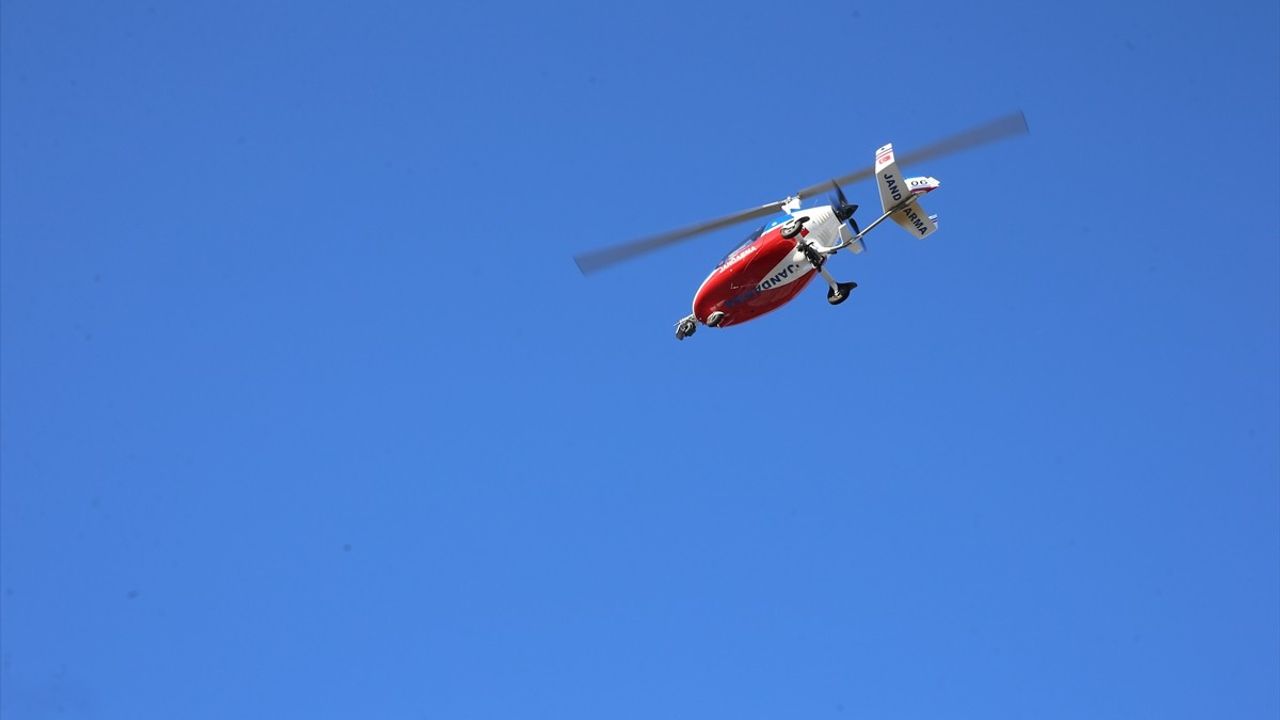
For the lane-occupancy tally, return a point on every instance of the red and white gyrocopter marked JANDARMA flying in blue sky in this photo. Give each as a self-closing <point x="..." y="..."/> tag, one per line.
<point x="779" y="259"/>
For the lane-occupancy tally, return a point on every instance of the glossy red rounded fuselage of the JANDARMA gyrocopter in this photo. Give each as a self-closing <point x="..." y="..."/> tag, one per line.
<point x="761" y="276"/>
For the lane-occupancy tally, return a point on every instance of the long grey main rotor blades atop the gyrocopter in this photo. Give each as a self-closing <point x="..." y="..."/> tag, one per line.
<point x="999" y="129"/>
